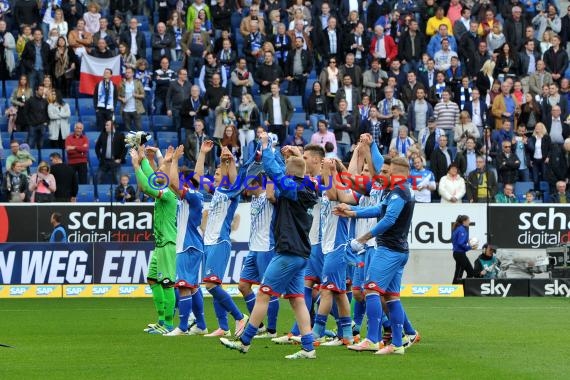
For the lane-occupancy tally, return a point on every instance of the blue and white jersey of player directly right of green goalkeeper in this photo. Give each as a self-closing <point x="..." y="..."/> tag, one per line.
<point x="188" y="220"/>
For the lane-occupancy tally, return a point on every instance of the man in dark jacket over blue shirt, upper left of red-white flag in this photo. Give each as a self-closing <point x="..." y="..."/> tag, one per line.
<point x="35" y="59"/>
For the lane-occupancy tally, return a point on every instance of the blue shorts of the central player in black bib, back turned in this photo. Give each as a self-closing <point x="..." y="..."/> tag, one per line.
<point x="284" y="276"/>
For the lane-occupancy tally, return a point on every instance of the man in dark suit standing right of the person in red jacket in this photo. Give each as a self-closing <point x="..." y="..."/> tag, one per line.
<point x="111" y="151"/>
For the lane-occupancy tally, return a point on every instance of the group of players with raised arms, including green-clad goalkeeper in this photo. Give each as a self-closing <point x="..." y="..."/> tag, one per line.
<point x="312" y="243"/>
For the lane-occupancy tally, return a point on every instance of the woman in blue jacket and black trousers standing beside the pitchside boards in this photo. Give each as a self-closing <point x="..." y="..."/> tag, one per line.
<point x="461" y="245"/>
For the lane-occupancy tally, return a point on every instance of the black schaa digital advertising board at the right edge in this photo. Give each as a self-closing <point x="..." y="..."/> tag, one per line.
<point x="536" y="226"/>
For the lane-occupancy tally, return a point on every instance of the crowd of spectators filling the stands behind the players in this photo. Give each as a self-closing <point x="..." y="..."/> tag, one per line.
<point x="474" y="93"/>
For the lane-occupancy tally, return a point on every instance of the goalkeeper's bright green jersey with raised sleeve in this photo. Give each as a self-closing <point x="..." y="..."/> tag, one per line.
<point x="165" y="205"/>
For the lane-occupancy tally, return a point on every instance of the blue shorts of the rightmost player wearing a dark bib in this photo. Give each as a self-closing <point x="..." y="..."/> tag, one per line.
<point x="385" y="270"/>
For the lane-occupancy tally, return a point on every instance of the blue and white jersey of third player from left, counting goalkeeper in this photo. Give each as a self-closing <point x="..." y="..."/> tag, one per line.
<point x="221" y="211"/>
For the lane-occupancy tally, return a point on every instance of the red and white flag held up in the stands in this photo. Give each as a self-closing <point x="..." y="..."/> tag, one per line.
<point x="92" y="72"/>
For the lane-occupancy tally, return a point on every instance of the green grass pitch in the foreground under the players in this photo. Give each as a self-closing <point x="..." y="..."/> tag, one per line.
<point x="470" y="338"/>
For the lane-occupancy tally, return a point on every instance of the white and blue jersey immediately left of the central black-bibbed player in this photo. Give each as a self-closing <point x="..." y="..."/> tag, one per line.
<point x="261" y="237"/>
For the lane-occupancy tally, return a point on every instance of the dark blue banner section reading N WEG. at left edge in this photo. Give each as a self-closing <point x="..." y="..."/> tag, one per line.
<point x="54" y="263"/>
